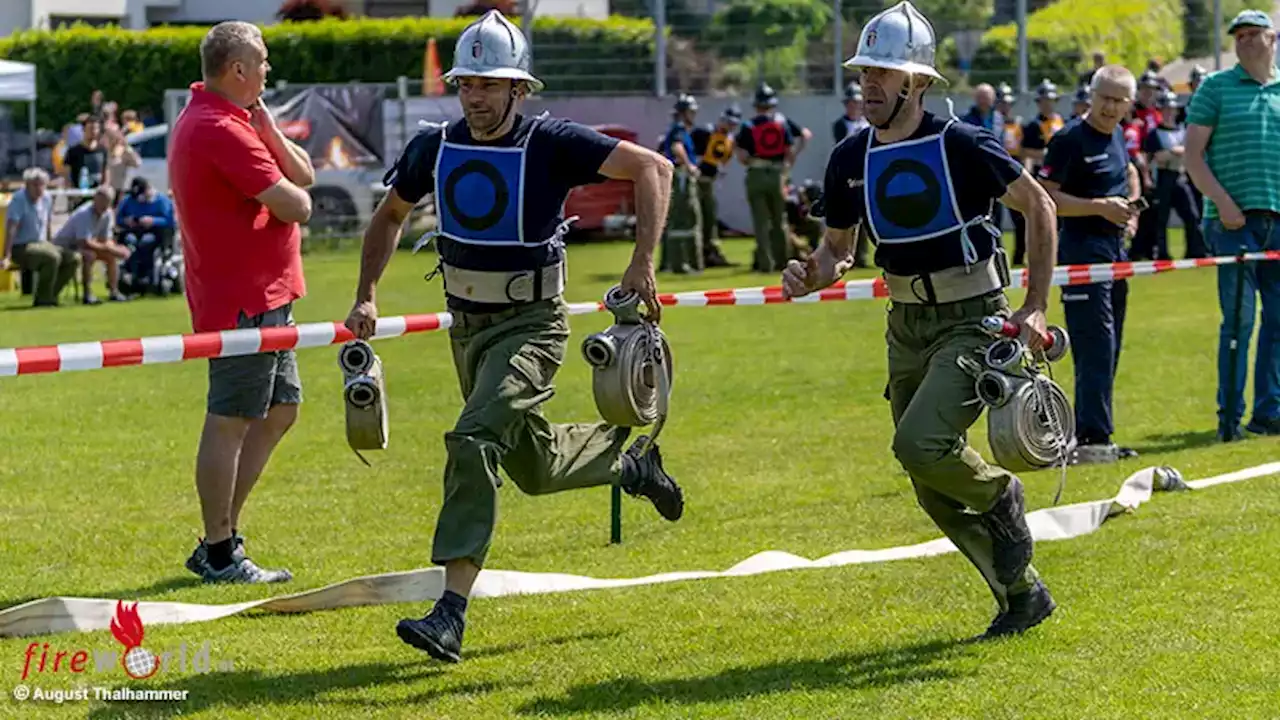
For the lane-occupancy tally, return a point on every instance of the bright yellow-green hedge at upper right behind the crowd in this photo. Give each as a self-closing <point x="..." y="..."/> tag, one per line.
<point x="1062" y="38"/>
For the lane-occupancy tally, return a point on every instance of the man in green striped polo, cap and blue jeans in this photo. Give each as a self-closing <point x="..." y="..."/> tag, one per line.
<point x="1240" y="112"/>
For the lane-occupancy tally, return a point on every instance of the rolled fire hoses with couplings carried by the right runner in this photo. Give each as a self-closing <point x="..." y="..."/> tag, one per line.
<point x="1030" y="421"/>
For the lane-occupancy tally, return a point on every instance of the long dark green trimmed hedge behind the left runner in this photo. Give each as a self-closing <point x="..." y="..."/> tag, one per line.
<point x="572" y="56"/>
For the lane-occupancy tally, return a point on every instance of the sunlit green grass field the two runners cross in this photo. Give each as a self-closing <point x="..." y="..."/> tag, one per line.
<point x="781" y="440"/>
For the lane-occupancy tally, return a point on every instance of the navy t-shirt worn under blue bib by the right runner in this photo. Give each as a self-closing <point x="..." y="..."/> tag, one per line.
<point x="981" y="174"/>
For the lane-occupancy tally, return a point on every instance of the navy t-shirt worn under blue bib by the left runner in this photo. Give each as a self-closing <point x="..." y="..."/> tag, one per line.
<point x="561" y="156"/>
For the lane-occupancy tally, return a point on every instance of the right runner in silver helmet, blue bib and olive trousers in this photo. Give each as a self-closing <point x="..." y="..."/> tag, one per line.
<point x="926" y="188"/>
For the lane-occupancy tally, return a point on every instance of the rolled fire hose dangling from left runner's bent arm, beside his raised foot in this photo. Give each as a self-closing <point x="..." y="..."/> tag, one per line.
<point x="632" y="364"/>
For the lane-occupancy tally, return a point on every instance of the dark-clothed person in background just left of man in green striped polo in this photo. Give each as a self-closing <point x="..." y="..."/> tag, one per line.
<point x="1165" y="148"/>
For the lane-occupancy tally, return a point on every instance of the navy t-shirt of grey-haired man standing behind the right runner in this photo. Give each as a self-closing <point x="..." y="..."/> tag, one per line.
<point x="1089" y="163"/>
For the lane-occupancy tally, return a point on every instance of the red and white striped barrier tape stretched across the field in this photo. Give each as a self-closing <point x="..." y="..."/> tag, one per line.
<point x="176" y="349"/>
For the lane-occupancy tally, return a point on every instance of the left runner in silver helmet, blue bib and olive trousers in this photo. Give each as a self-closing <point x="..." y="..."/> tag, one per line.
<point x="500" y="181"/>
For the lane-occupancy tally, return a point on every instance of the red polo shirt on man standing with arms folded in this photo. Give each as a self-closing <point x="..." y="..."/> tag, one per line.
<point x="239" y="256"/>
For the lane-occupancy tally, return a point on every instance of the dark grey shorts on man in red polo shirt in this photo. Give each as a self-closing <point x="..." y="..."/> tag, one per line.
<point x="249" y="386"/>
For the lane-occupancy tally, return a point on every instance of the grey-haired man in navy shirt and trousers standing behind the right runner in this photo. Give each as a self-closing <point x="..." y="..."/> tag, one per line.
<point x="1095" y="186"/>
